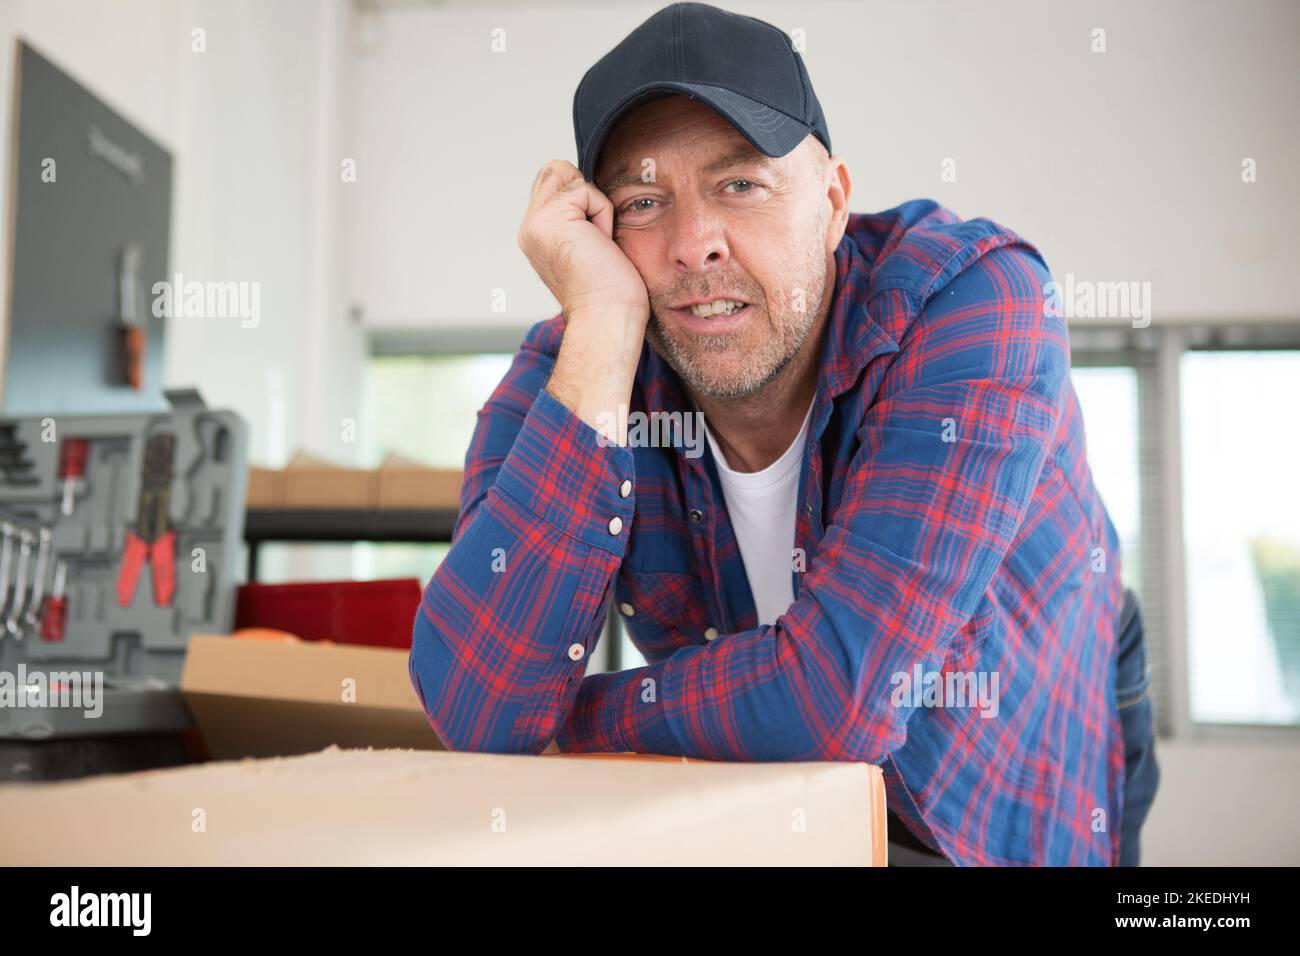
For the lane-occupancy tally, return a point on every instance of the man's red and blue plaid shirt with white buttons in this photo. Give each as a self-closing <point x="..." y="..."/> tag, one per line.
<point x="947" y="522"/>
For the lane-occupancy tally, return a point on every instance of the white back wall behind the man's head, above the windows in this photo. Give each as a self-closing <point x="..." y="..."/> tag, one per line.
<point x="1120" y="166"/>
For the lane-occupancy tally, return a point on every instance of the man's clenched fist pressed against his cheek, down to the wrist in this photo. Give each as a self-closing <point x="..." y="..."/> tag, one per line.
<point x="569" y="237"/>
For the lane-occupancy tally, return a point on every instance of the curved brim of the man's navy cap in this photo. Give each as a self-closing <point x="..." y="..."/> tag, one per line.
<point x="770" y="131"/>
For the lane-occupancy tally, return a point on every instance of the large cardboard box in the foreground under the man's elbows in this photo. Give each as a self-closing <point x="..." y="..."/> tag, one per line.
<point x="430" y="808"/>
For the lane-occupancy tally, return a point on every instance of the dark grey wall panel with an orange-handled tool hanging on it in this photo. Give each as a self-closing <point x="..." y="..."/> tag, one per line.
<point x="112" y="189"/>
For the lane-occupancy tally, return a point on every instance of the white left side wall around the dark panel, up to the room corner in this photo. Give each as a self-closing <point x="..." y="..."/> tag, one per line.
<point x="254" y="126"/>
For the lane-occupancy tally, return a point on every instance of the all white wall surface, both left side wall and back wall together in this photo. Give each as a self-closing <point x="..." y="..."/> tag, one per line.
<point x="1124" y="165"/>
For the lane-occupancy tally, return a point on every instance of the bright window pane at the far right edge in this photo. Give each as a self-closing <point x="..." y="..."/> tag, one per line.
<point x="1242" y="533"/>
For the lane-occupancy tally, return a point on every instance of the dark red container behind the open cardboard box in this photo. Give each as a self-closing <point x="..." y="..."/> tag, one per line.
<point x="376" y="613"/>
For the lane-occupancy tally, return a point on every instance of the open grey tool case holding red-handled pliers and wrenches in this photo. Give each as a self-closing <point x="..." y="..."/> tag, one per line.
<point x="122" y="539"/>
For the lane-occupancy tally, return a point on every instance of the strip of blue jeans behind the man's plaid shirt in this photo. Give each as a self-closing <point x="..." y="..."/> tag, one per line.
<point x="1133" y="693"/>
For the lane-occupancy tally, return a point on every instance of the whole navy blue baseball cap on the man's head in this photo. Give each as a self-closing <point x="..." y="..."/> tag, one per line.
<point x="746" y="70"/>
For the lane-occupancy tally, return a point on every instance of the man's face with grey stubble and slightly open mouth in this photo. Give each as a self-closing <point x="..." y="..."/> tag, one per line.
<point x="705" y="217"/>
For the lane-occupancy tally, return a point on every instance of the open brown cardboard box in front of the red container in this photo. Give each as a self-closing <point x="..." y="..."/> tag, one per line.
<point x="254" y="699"/>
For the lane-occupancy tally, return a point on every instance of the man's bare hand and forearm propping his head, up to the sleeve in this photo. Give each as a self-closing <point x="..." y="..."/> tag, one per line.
<point x="569" y="239"/>
